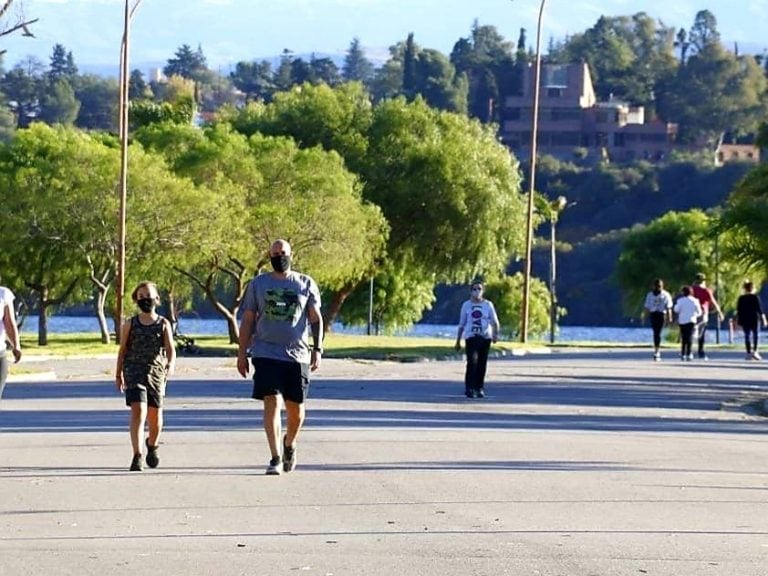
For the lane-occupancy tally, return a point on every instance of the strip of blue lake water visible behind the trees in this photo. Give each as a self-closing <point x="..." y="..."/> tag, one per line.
<point x="212" y="326"/>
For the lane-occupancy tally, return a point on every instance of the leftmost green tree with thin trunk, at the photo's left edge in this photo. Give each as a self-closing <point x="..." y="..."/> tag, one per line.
<point x="38" y="170"/>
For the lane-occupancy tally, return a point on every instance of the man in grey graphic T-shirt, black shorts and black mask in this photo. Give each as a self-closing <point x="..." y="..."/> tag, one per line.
<point x="278" y="308"/>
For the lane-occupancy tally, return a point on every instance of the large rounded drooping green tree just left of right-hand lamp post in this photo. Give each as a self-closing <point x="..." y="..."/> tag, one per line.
<point x="447" y="188"/>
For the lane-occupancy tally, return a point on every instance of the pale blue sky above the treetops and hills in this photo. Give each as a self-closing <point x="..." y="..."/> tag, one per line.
<point x="234" y="30"/>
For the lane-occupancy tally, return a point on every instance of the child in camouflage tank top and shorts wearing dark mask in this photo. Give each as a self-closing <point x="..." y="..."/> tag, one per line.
<point x="145" y="360"/>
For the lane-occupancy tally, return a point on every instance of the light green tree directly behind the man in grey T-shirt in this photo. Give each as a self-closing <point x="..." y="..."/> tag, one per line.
<point x="272" y="189"/>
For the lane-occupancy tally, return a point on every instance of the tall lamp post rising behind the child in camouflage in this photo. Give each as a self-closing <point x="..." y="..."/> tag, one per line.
<point x="123" y="133"/>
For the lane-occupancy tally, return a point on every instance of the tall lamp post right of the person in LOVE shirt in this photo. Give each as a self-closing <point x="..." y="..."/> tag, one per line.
<point x="531" y="183"/>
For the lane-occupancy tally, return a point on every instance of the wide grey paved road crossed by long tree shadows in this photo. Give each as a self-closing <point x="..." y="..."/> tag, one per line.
<point x="578" y="463"/>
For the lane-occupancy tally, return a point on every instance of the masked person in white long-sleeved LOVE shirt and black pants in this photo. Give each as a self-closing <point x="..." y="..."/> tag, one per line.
<point x="479" y="325"/>
